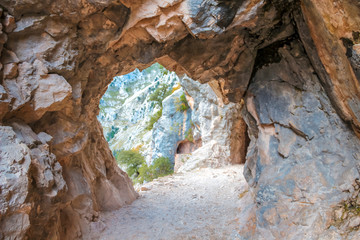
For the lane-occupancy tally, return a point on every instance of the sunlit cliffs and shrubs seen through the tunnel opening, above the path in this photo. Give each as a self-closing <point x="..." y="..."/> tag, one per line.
<point x="157" y="122"/>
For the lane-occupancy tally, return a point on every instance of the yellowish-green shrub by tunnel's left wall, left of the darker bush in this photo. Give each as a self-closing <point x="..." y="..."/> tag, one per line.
<point x="132" y="159"/>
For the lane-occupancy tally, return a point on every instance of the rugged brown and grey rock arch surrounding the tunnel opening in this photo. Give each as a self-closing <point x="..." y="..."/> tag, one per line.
<point x="58" y="57"/>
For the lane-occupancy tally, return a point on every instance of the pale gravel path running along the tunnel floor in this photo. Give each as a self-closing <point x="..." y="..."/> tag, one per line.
<point x="203" y="204"/>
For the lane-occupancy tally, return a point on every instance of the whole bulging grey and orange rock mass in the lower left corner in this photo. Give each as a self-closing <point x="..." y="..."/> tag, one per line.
<point x="32" y="183"/>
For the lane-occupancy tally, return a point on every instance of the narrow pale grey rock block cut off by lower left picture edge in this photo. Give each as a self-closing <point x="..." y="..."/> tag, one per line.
<point x="15" y="220"/>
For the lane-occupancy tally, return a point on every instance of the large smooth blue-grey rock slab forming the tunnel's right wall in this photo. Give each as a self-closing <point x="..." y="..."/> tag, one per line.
<point x="300" y="152"/>
